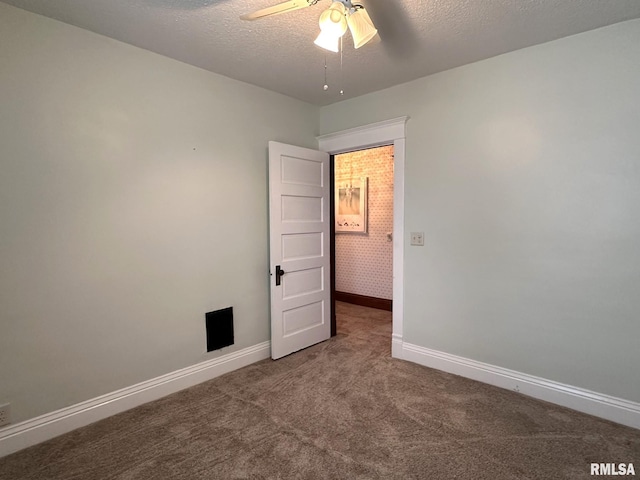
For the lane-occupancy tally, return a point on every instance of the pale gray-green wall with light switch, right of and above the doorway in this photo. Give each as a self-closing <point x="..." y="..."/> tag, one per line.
<point x="524" y="173"/>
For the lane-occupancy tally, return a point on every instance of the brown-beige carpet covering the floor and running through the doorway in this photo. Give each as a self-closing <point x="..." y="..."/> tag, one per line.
<point x="343" y="409"/>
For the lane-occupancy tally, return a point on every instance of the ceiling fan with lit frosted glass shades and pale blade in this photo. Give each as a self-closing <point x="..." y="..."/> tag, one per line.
<point x="333" y="21"/>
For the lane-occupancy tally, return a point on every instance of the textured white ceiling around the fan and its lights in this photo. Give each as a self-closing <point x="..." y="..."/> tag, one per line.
<point x="417" y="38"/>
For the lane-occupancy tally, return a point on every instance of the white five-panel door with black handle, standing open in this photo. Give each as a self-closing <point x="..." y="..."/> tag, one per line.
<point x="299" y="248"/>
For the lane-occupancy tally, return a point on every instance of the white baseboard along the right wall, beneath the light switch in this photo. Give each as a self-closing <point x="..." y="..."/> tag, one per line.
<point x="600" y="405"/>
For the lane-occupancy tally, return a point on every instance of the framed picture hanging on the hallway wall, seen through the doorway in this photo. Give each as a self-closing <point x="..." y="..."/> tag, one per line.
<point x="351" y="205"/>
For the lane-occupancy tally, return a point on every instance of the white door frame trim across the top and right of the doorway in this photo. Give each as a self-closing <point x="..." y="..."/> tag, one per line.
<point x="375" y="135"/>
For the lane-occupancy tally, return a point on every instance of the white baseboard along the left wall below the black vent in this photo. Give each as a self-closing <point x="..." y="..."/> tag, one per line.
<point x="42" y="428"/>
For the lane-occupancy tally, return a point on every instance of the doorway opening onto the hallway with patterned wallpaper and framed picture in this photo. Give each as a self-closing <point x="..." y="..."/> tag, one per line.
<point x="362" y="237"/>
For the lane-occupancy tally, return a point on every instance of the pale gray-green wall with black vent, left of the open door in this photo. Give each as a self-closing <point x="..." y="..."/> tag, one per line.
<point x="133" y="199"/>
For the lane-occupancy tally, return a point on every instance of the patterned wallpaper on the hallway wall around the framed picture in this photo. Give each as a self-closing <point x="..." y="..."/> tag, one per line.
<point x="364" y="262"/>
